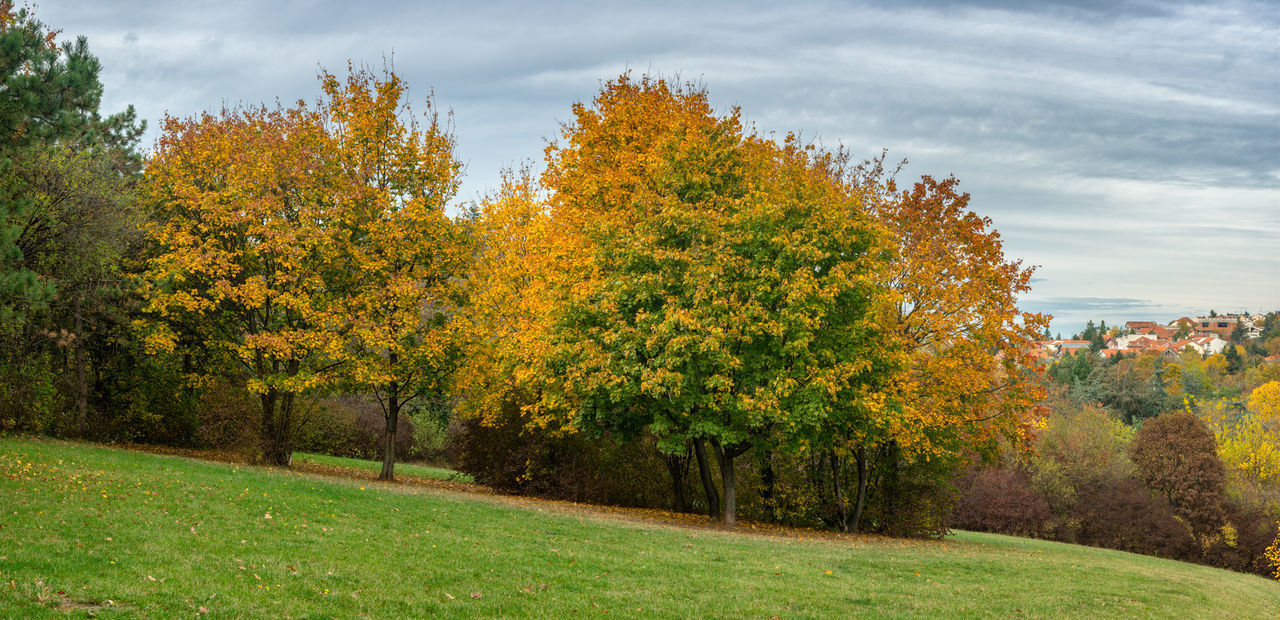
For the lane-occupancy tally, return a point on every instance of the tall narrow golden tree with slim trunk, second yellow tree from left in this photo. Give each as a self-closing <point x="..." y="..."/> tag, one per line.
<point x="400" y="249"/>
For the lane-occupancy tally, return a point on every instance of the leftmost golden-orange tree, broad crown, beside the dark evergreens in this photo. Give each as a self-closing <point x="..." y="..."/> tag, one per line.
<point x="245" y="221"/>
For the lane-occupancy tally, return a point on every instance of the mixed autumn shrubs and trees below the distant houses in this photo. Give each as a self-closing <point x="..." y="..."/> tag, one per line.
<point x="1177" y="457"/>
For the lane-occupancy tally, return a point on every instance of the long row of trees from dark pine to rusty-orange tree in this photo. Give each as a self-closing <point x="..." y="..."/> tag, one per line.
<point x="679" y="312"/>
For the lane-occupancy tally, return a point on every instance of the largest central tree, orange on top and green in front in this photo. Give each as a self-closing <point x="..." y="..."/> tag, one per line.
<point x="728" y="288"/>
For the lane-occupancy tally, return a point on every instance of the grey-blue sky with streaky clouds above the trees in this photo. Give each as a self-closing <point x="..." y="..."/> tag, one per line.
<point x="1131" y="149"/>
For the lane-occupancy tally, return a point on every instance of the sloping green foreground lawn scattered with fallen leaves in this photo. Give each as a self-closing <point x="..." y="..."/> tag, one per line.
<point x="108" y="532"/>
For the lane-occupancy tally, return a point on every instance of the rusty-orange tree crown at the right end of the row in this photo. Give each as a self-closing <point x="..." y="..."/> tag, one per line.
<point x="971" y="376"/>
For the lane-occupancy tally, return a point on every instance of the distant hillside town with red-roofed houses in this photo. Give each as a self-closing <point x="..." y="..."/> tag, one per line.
<point x="1206" y="336"/>
